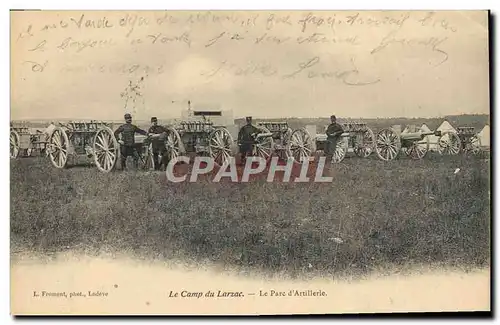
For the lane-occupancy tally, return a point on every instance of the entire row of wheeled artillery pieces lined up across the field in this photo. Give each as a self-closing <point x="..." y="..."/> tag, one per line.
<point x="96" y="140"/>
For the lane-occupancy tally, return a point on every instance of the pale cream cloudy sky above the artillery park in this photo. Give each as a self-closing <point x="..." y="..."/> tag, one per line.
<point x="369" y="64"/>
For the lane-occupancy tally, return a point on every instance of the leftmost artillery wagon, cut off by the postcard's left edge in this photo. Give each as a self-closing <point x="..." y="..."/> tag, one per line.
<point x="22" y="140"/>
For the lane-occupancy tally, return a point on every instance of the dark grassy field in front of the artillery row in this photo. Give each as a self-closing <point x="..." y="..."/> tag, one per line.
<point x="387" y="214"/>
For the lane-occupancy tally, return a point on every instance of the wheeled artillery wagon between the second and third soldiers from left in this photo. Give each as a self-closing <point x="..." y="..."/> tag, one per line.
<point x="201" y="136"/>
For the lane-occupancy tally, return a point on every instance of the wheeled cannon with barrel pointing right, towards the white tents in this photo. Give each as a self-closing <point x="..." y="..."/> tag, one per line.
<point x="416" y="144"/>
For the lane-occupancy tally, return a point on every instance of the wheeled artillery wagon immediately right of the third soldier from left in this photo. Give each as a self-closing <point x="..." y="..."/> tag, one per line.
<point x="278" y="138"/>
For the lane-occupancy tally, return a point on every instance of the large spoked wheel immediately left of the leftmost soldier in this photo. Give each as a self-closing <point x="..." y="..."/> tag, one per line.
<point x="105" y="150"/>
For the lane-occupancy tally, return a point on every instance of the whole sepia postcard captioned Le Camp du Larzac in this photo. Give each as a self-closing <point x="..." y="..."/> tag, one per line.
<point x="249" y="162"/>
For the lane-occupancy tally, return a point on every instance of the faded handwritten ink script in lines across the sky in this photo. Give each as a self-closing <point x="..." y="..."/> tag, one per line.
<point x="279" y="45"/>
